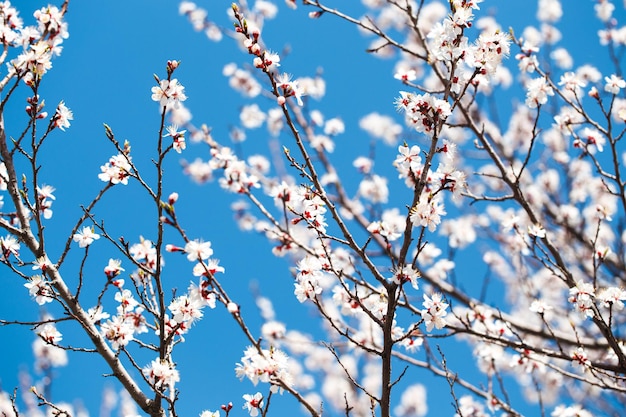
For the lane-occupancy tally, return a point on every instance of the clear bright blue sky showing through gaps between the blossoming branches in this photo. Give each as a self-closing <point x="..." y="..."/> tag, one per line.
<point x="105" y="74"/>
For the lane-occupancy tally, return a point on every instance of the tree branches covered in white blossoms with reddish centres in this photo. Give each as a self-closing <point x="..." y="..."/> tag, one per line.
<point x="385" y="249"/>
